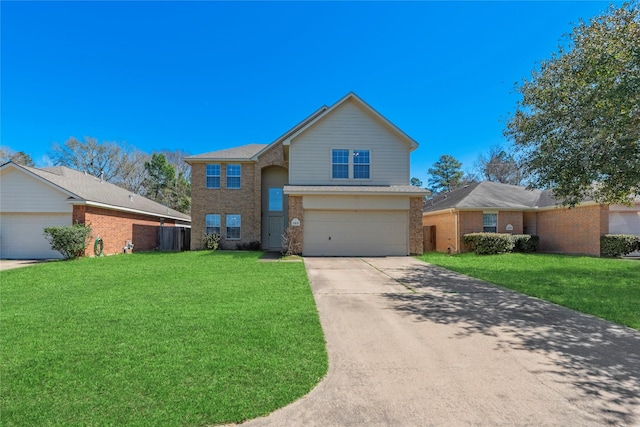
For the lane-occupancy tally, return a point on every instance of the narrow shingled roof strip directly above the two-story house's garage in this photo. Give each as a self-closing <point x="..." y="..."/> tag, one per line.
<point x="371" y="190"/>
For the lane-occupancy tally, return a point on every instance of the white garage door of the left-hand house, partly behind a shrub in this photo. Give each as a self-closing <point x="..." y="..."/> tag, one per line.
<point x="21" y="235"/>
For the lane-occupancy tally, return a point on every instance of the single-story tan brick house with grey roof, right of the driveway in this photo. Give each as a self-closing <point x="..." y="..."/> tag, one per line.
<point x="502" y="208"/>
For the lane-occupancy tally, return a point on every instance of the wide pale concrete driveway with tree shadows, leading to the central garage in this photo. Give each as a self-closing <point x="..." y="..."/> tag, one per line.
<point x="411" y="344"/>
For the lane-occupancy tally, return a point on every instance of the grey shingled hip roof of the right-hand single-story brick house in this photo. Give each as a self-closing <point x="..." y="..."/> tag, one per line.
<point x="491" y="195"/>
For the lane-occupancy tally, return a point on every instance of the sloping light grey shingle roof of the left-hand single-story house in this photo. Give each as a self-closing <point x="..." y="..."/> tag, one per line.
<point x="82" y="188"/>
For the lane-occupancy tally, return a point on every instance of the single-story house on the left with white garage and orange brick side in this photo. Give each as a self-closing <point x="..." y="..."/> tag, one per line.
<point x="32" y="199"/>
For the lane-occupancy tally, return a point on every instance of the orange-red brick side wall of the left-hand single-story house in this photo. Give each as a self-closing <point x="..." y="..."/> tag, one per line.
<point x="116" y="227"/>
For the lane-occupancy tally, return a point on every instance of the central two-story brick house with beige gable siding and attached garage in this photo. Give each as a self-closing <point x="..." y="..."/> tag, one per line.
<point x="339" y="179"/>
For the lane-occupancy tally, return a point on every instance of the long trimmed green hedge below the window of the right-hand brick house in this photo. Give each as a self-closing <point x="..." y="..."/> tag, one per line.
<point x="498" y="243"/>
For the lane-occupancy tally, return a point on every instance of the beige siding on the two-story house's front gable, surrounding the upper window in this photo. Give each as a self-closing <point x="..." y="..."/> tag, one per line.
<point x="349" y="126"/>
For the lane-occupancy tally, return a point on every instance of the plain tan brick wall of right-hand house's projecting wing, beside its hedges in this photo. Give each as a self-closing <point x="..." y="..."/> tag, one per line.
<point x="576" y="230"/>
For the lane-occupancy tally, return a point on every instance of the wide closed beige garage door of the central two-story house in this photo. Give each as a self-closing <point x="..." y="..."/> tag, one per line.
<point x="355" y="233"/>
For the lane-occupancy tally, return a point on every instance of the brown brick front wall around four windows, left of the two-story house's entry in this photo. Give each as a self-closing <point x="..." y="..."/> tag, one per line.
<point x="245" y="201"/>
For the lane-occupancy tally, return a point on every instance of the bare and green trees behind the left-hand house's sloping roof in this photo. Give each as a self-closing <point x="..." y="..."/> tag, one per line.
<point x="162" y="176"/>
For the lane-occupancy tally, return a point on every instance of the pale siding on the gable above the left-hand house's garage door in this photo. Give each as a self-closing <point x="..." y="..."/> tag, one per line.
<point x="20" y="192"/>
